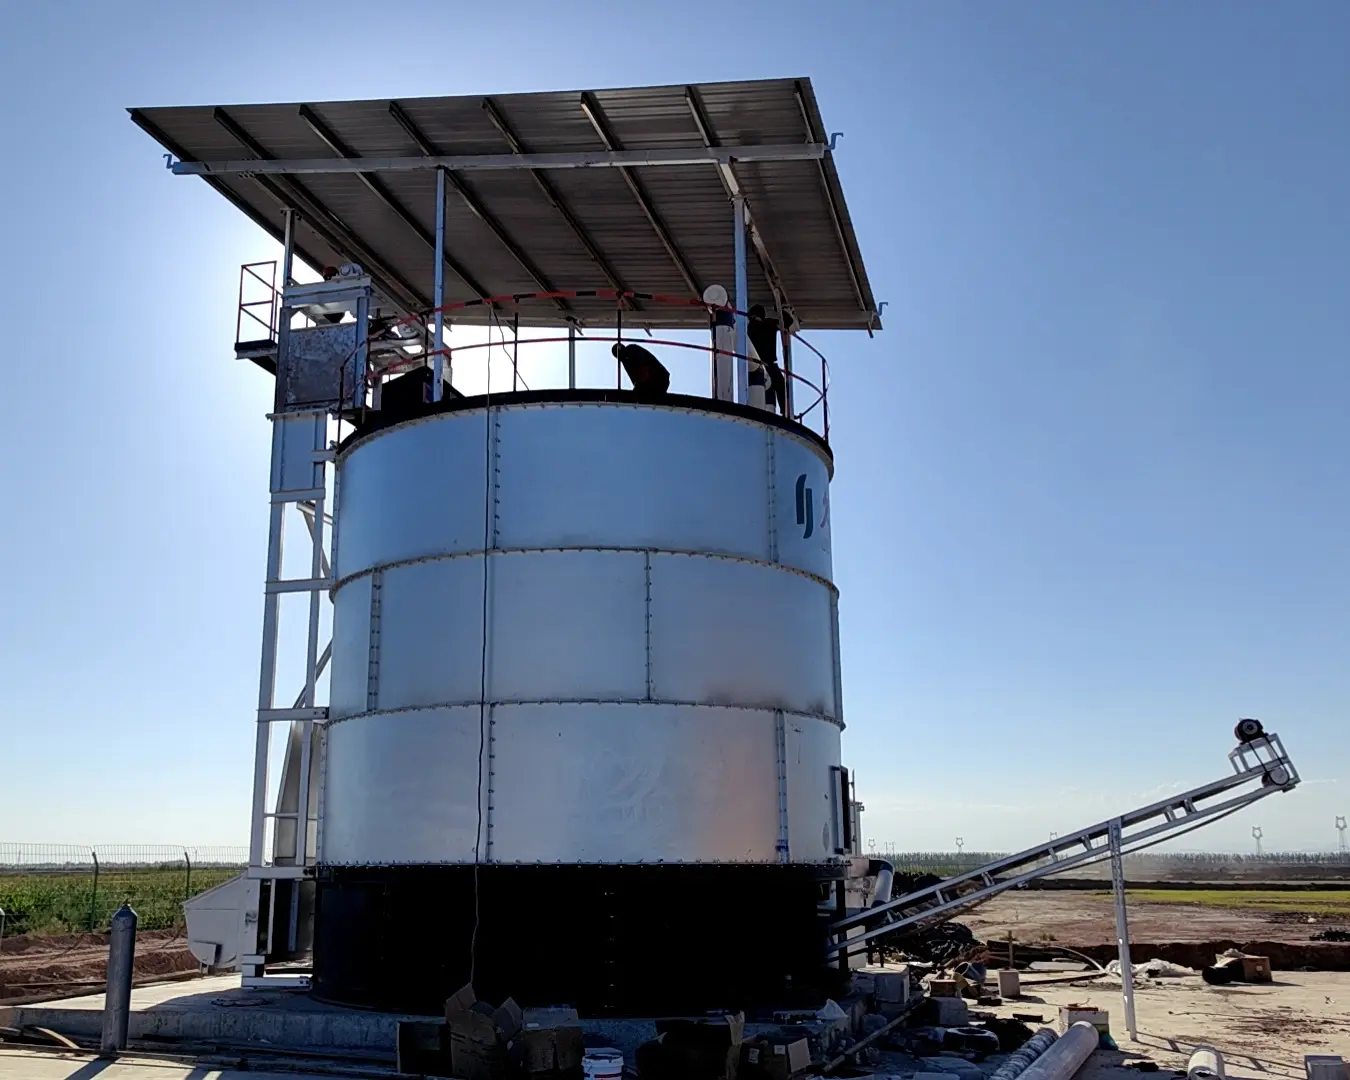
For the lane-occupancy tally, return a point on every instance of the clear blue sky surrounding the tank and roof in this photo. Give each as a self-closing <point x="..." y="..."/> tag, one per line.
<point x="1091" y="500"/>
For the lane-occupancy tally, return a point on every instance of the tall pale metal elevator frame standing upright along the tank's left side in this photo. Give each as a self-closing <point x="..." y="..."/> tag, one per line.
<point x="302" y="456"/>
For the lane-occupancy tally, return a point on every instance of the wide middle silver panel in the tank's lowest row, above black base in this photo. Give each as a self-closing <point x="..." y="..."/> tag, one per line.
<point x="632" y="784"/>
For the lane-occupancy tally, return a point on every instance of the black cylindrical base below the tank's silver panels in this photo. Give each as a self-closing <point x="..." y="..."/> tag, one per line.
<point x="618" y="940"/>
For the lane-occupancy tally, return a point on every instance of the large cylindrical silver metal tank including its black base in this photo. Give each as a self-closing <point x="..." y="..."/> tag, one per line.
<point x="585" y="658"/>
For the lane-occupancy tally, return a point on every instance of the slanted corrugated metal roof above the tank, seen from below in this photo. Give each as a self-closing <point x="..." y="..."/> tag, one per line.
<point x="516" y="232"/>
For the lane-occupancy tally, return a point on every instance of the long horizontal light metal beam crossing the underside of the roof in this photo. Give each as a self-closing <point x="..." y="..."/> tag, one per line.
<point x="504" y="163"/>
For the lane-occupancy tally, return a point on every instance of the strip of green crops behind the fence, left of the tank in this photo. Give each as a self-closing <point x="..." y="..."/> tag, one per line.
<point x="57" y="902"/>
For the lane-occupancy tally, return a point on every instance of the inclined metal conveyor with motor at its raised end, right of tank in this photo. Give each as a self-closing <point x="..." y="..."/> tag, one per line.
<point x="1260" y="759"/>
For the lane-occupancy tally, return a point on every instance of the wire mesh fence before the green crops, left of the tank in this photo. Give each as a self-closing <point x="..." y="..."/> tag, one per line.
<point x="72" y="889"/>
